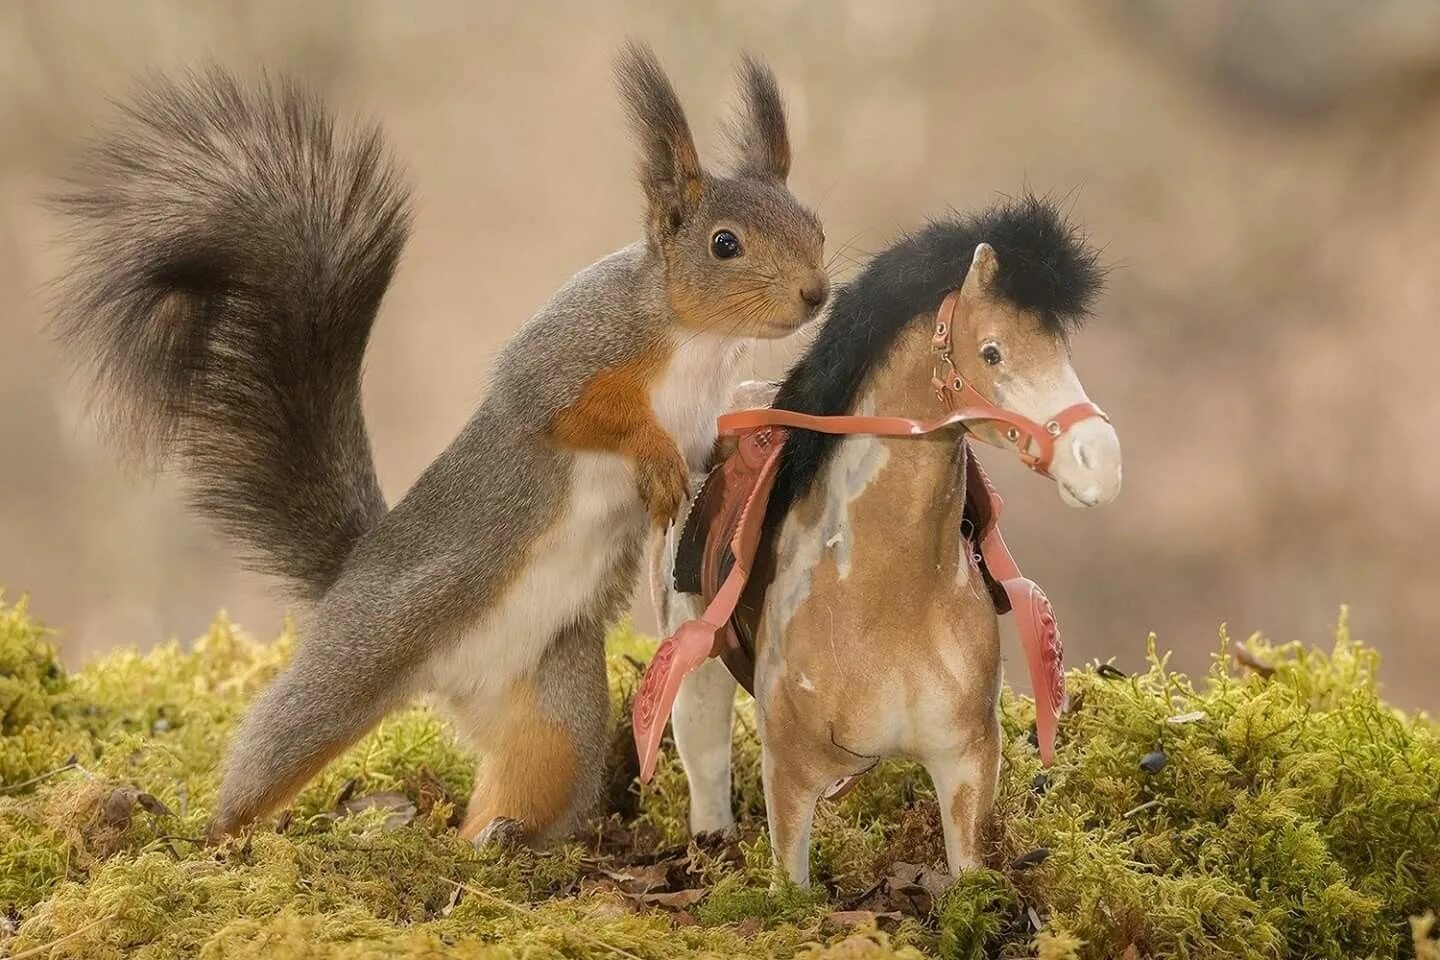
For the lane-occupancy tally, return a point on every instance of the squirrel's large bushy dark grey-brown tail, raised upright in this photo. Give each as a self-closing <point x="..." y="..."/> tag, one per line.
<point x="233" y="254"/>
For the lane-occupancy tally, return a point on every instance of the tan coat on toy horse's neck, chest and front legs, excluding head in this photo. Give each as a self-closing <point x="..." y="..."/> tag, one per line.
<point x="899" y="654"/>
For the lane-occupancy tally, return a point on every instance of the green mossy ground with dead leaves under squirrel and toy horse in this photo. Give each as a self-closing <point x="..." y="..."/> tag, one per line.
<point x="1282" y="812"/>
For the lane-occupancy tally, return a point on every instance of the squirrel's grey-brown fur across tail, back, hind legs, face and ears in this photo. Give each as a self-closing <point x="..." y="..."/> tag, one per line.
<point x="234" y="251"/>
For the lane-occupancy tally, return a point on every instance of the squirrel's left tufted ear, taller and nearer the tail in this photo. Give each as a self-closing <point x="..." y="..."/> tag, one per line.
<point x="669" y="163"/>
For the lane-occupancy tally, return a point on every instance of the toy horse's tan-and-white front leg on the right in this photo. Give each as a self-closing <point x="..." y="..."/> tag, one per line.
<point x="966" y="787"/>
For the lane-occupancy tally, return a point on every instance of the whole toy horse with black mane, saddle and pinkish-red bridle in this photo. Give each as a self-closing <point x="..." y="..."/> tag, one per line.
<point x="859" y="572"/>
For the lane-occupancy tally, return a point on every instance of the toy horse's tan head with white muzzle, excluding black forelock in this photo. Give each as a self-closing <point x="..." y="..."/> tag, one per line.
<point x="1020" y="361"/>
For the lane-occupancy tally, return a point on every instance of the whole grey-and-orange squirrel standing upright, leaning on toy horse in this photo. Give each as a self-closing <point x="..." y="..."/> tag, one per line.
<point x="233" y="253"/>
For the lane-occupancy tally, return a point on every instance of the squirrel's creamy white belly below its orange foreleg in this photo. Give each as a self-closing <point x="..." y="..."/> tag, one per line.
<point x="564" y="571"/>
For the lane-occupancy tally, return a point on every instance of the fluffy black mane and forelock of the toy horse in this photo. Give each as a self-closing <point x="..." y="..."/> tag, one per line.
<point x="1045" y="267"/>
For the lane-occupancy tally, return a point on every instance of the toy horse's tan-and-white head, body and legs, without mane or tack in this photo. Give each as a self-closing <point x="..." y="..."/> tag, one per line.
<point x="875" y="634"/>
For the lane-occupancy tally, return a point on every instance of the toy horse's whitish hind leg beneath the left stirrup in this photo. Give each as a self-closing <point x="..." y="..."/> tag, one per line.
<point x="703" y="722"/>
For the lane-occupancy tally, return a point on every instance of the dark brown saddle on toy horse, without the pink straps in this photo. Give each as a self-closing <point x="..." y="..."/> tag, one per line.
<point x="705" y="555"/>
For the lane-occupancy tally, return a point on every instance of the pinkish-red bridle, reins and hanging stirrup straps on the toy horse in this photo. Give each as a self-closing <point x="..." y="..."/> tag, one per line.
<point x="762" y="435"/>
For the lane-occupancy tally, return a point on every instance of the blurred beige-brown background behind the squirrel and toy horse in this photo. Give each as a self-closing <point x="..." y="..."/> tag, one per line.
<point x="1265" y="181"/>
